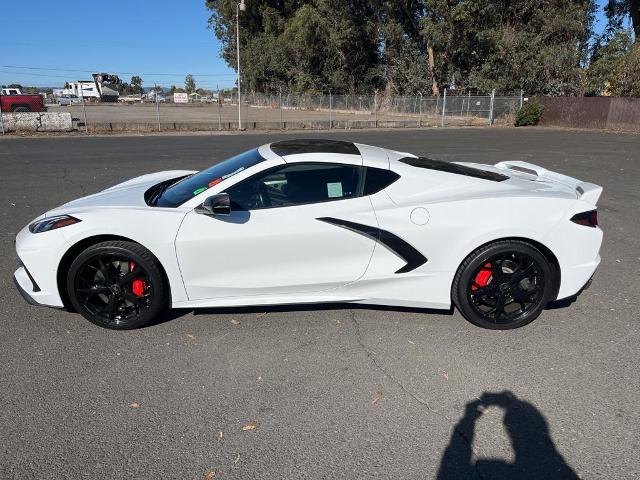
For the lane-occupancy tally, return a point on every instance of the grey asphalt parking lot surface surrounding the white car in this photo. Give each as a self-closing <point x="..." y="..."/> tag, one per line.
<point x="323" y="391"/>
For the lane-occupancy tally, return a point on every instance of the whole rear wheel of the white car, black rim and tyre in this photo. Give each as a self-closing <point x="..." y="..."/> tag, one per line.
<point x="503" y="285"/>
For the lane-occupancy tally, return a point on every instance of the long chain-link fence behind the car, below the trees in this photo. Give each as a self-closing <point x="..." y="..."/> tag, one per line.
<point x="284" y="111"/>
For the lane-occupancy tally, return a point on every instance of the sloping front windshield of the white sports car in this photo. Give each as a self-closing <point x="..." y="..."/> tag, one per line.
<point x="197" y="183"/>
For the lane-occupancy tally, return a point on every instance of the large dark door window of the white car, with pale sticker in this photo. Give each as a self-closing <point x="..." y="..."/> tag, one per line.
<point x="296" y="184"/>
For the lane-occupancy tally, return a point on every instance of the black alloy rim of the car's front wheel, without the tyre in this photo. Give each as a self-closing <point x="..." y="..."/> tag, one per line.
<point x="113" y="288"/>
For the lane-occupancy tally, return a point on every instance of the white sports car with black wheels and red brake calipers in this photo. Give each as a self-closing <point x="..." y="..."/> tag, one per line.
<point x="312" y="221"/>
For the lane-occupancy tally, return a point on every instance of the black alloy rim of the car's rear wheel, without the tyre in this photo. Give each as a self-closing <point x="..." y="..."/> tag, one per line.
<point x="506" y="287"/>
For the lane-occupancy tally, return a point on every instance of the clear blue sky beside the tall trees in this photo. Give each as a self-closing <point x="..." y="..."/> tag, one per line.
<point x="49" y="43"/>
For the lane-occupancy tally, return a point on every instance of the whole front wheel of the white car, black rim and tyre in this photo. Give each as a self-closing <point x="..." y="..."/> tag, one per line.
<point x="117" y="285"/>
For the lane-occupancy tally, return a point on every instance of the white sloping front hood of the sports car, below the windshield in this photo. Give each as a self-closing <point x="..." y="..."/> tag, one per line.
<point x="125" y="194"/>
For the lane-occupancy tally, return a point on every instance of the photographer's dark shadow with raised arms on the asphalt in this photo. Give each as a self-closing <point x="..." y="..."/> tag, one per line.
<point x="535" y="454"/>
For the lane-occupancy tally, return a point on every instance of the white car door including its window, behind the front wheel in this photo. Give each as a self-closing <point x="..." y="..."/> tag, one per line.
<point x="278" y="238"/>
